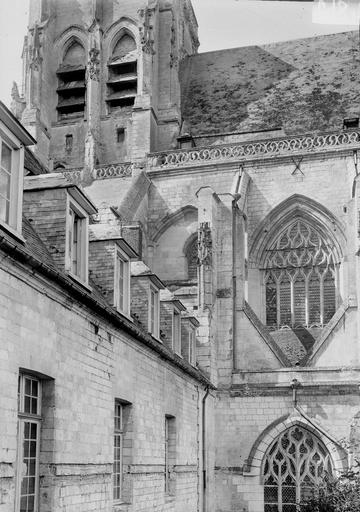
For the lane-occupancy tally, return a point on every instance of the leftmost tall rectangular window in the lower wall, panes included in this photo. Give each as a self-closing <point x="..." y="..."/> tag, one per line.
<point x="29" y="410"/>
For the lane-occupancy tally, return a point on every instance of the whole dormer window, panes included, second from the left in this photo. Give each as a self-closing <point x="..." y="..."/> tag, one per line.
<point x="77" y="242"/>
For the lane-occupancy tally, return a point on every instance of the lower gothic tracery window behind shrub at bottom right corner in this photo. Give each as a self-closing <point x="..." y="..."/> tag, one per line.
<point x="295" y="463"/>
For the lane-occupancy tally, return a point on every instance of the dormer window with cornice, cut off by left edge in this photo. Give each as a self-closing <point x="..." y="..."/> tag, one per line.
<point x="13" y="137"/>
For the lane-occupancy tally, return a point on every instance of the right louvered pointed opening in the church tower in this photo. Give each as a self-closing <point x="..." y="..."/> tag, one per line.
<point x="122" y="82"/>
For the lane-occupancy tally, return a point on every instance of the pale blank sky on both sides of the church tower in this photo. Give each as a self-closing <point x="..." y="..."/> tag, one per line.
<point x="222" y="24"/>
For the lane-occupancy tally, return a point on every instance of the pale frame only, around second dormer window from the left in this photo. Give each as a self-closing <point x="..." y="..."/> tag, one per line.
<point x="82" y="273"/>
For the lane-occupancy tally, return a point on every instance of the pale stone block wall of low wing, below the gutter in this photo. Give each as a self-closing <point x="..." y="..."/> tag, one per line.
<point x="84" y="364"/>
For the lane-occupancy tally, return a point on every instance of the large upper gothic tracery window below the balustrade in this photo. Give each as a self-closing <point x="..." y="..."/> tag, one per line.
<point x="300" y="277"/>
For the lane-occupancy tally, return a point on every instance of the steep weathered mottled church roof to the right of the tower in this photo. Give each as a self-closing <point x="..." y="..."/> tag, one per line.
<point x="302" y="85"/>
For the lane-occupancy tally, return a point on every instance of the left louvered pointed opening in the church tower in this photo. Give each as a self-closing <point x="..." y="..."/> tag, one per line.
<point x="71" y="83"/>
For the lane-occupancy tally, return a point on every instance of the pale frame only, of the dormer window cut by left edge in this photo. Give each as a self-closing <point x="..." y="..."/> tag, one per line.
<point x="16" y="179"/>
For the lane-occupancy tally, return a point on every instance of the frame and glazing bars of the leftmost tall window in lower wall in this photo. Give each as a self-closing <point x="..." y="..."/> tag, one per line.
<point x="30" y="418"/>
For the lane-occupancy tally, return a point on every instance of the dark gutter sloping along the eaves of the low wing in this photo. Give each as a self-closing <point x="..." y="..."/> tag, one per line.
<point x="21" y="254"/>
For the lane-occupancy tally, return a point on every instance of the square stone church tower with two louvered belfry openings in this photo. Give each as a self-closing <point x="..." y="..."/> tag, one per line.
<point x="101" y="78"/>
